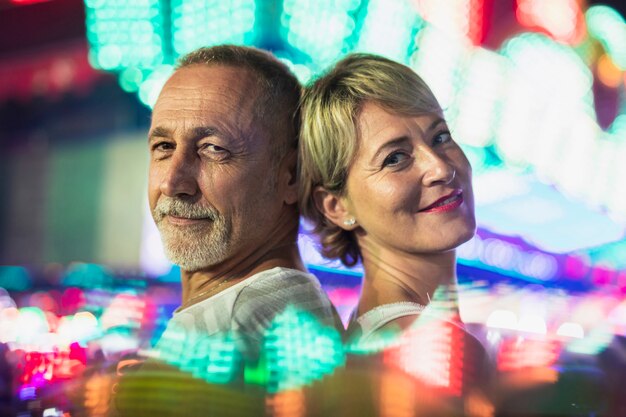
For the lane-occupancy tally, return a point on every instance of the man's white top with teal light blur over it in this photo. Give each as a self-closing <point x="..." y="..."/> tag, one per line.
<point x="236" y="318"/>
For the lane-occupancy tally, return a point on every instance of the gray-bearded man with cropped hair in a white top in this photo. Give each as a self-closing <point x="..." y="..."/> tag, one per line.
<point x="223" y="192"/>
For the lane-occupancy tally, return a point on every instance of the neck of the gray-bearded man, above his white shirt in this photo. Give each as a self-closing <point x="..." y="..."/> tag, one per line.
<point x="280" y="250"/>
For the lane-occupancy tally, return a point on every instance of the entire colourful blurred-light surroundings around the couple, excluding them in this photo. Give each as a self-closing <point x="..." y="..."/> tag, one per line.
<point x="534" y="92"/>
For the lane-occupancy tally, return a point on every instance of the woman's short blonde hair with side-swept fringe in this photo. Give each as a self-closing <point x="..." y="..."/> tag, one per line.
<point x="329" y="135"/>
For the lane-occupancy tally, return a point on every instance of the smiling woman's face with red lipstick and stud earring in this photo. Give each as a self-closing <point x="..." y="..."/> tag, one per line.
<point x="419" y="199"/>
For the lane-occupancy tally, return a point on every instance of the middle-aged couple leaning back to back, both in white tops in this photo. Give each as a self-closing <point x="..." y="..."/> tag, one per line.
<point x="237" y="151"/>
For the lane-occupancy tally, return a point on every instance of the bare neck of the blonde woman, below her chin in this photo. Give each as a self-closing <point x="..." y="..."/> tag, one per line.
<point x="393" y="276"/>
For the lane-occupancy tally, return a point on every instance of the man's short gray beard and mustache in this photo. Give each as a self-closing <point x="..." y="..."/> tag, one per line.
<point x="195" y="246"/>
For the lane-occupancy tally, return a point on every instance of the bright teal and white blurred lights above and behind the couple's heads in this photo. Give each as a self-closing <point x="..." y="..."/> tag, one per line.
<point x="545" y="76"/>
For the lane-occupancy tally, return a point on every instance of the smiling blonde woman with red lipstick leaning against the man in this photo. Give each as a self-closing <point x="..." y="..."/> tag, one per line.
<point x="383" y="182"/>
